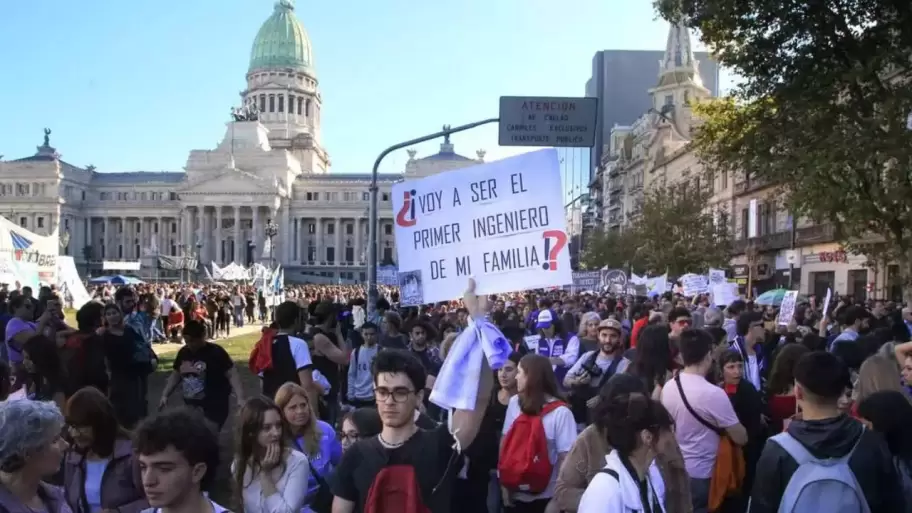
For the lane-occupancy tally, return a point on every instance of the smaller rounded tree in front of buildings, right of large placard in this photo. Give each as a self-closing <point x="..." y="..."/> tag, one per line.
<point x="676" y="231"/>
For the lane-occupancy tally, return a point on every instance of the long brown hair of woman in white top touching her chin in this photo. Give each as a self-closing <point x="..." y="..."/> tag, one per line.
<point x="249" y="423"/>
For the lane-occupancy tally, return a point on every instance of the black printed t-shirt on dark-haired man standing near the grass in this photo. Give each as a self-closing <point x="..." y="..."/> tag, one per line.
<point x="204" y="377"/>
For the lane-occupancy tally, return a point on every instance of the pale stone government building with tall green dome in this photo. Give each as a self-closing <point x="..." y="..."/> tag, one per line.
<point x="272" y="168"/>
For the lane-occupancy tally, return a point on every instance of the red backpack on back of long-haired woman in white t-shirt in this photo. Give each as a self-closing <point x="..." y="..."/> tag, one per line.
<point x="524" y="465"/>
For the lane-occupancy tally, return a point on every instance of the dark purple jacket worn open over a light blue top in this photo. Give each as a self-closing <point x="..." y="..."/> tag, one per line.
<point x="121" y="484"/>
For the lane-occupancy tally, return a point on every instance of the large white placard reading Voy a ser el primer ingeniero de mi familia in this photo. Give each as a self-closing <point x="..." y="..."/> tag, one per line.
<point x="500" y="222"/>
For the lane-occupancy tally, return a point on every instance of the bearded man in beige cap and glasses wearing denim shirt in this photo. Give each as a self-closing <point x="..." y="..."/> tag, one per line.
<point x="594" y="368"/>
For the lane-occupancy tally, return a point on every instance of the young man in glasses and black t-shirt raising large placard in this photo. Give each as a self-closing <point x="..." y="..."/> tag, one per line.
<point x="407" y="468"/>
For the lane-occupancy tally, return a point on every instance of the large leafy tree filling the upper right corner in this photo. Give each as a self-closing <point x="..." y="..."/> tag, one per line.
<point x="820" y="110"/>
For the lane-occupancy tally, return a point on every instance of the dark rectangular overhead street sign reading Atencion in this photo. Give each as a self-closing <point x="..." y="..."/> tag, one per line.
<point x="548" y="121"/>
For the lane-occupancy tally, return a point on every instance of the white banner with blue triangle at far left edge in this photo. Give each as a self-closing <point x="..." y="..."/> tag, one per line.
<point x="32" y="254"/>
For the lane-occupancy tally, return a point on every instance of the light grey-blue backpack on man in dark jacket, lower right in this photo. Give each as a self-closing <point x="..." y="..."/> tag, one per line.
<point x="820" y="484"/>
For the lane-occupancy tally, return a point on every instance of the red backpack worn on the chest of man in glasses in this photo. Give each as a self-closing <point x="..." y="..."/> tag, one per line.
<point x="395" y="490"/>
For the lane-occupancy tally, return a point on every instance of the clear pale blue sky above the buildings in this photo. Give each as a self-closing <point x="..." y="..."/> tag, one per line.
<point x="134" y="86"/>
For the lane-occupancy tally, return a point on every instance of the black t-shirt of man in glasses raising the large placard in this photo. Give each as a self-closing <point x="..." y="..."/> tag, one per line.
<point x="431" y="452"/>
